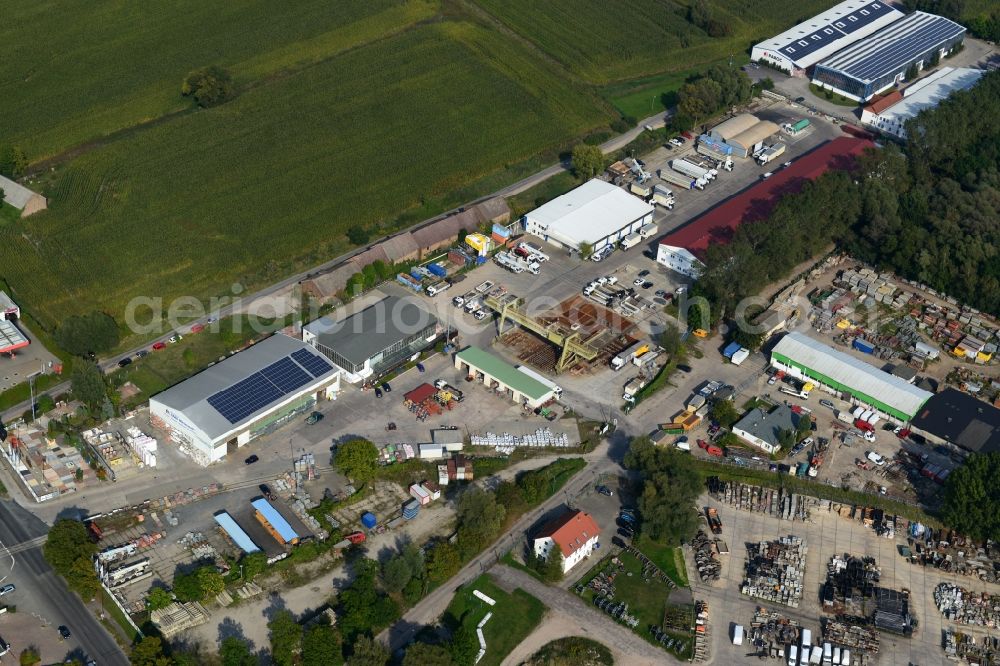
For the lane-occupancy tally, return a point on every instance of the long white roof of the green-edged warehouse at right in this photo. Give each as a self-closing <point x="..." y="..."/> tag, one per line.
<point x="852" y="373"/>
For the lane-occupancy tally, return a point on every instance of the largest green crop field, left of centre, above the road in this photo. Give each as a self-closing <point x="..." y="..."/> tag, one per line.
<point x="253" y="189"/>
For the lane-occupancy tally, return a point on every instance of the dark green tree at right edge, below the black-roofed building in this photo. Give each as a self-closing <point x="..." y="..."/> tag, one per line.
<point x="972" y="497"/>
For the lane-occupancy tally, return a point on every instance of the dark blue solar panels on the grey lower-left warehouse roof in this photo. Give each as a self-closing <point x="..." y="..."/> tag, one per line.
<point x="262" y="388"/>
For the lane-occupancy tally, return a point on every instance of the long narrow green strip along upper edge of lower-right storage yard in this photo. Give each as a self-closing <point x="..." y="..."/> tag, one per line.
<point x="814" y="489"/>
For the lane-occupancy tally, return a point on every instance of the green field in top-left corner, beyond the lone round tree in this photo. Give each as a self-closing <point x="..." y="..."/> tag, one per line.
<point x="75" y="70"/>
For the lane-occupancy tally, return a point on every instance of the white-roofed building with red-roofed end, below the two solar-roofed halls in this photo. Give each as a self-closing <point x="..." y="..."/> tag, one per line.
<point x="890" y="114"/>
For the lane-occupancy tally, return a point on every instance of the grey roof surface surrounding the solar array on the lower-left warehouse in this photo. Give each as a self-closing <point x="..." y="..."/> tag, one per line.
<point x="190" y="397"/>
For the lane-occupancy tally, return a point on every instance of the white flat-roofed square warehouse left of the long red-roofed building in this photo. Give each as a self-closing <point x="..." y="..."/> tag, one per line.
<point x="596" y="213"/>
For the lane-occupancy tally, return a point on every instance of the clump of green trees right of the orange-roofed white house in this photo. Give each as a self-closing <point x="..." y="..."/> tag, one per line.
<point x="671" y="484"/>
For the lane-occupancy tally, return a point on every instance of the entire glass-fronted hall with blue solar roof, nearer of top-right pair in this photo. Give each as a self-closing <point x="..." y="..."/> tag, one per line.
<point x="880" y="61"/>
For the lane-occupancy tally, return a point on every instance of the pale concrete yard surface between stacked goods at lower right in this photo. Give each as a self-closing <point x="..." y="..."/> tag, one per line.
<point x="825" y="534"/>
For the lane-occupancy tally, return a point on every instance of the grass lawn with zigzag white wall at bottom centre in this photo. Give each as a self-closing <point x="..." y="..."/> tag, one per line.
<point x="514" y="616"/>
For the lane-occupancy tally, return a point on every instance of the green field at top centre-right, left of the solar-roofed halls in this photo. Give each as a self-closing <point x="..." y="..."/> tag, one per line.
<point x="602" y="42"/>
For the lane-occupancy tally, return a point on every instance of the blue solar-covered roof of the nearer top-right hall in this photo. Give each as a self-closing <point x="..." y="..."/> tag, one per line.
<point x="894" y="47"/>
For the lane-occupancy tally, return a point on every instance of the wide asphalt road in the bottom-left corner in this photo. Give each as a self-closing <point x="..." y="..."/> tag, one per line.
<point x="41" y="591"/>
